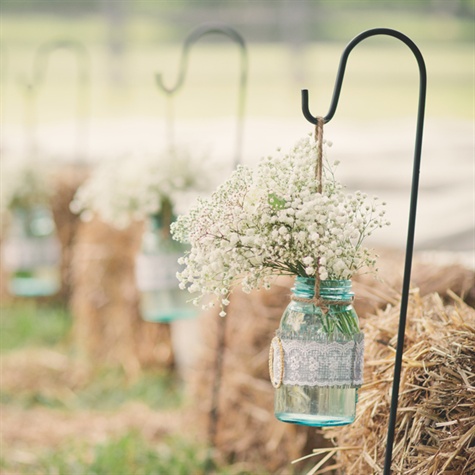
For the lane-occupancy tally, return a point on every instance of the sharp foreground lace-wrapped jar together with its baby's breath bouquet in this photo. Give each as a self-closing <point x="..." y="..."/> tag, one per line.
<point x="283" y="217"/>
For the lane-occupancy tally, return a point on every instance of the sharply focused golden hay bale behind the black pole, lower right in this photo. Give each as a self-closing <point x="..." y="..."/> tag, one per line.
<point x="435" y="429"/>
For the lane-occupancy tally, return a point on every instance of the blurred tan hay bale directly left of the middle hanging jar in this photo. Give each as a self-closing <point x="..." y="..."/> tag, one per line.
<point x="105" y="301"/>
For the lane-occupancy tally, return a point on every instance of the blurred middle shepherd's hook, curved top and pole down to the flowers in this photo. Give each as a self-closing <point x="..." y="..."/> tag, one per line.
<point x="192" y="38"/>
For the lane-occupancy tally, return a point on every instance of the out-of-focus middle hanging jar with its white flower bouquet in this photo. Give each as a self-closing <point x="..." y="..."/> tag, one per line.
<point x="152" y="189"/>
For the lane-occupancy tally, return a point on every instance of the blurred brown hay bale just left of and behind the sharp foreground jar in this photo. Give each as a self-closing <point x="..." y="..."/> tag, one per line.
<point x="247" y="431"/>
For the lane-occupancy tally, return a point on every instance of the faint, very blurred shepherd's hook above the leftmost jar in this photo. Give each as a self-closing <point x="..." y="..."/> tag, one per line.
<point x="40" y="64"/>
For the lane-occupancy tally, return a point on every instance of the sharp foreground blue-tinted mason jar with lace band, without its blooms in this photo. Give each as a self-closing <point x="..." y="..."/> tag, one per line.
<point x="316" y="358"/>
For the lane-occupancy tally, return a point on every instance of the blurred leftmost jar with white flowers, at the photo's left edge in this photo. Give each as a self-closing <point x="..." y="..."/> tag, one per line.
<point x="31" y="251"/>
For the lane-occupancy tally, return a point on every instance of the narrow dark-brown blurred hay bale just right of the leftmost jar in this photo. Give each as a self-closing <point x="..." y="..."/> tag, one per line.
<point x="67" y="181"/>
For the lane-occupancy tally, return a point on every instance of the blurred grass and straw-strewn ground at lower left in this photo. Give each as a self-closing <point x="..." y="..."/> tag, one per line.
<point x="62" y="417"/>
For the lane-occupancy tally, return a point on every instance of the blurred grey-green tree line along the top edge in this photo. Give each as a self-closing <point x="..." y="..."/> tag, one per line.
<point x="290" y="21"/>
